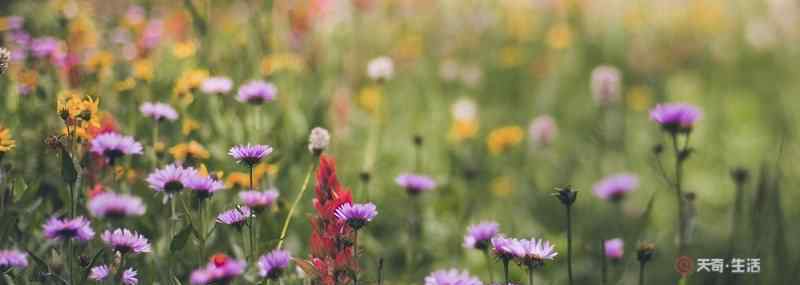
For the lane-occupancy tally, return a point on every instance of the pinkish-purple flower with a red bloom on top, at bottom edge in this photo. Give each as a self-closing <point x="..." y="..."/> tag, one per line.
<point x="220" y="270"/>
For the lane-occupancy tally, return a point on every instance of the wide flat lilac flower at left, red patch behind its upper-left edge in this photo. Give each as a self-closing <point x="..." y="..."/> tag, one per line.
<point x="113" y="205"/>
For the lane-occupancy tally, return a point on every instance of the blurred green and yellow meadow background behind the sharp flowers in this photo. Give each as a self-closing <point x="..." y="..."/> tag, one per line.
<point x="469" y="78"/>
